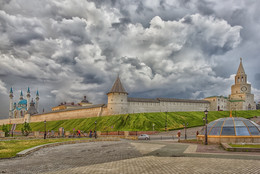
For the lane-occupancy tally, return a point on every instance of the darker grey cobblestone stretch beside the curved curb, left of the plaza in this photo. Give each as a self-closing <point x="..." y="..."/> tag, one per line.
<point x="68" y="156"/>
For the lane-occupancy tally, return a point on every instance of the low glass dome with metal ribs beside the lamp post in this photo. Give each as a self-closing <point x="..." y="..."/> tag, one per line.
<point x="233" y="126"/>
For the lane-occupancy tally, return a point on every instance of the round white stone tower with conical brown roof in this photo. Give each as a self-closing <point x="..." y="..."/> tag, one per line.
<point x="117" y="99"/>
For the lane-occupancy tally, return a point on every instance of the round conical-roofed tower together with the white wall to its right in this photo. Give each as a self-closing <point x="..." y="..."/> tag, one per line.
<point x="119" y="103"/>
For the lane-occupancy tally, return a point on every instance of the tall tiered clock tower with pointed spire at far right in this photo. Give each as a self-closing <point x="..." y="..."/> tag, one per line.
<point x="241" y="97"/>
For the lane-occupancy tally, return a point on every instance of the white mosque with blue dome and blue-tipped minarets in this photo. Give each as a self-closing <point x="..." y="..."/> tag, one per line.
<point x="18" y="110"/>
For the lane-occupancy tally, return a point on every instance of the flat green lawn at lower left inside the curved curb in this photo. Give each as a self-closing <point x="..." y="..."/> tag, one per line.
<point x="11" y="148"/>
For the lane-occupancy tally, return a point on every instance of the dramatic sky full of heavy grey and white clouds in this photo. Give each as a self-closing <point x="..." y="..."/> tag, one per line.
<point x="170" y="48"/>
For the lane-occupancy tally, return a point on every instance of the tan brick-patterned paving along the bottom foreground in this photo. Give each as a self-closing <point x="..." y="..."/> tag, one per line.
<point x="168" y="165"/>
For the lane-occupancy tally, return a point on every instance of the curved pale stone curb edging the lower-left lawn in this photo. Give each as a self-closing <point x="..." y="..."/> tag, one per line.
<point x="33" y="149"/>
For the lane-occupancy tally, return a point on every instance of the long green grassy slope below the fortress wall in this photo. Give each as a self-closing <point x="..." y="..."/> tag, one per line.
<point x="139" y="122"/>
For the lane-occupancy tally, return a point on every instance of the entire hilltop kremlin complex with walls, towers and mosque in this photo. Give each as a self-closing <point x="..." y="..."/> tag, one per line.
<point x="119" y="103"/>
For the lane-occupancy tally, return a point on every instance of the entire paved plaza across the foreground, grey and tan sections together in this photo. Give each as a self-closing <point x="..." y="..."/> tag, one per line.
<point x="133" y="157"/>
